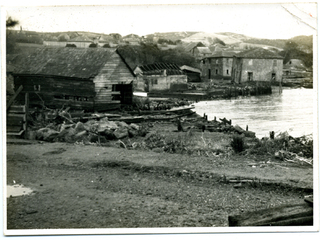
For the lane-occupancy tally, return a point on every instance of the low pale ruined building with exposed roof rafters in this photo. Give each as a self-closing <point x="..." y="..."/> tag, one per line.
<point x="160" y="77"/>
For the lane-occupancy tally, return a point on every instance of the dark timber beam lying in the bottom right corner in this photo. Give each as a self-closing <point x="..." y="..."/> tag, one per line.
<point x="288" y="215"/>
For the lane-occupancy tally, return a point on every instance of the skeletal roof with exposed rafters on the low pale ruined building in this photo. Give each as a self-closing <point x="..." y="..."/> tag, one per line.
<point x="158" y="68"/>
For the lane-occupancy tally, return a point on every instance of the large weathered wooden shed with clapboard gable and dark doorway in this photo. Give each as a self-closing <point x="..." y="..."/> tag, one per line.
<point x="81" y="78"/>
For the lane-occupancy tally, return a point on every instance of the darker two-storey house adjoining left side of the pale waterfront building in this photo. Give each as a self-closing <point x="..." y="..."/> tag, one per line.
<point x="217" y="66"/>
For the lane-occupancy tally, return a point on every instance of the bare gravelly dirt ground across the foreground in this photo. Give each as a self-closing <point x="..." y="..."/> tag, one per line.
<point x="87" y="186"/>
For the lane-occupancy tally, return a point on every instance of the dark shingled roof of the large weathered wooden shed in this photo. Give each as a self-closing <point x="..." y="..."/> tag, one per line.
<point x="67" y="62"/>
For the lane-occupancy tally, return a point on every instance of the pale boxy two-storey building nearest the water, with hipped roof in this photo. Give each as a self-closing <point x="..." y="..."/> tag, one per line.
<point x="257" y="65"/>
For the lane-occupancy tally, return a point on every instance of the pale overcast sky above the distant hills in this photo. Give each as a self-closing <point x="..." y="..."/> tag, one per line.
<point x="256" y="20"/>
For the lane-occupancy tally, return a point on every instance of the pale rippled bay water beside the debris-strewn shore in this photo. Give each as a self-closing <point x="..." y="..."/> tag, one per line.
<point x="291" y="111"/>
